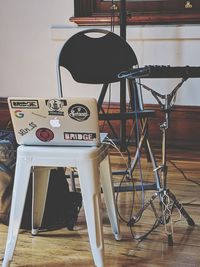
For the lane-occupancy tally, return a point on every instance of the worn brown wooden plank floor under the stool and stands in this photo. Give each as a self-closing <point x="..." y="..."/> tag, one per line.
<point x="71" y="248"/>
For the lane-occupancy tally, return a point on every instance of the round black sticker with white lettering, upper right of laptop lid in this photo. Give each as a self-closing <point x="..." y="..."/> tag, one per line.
<point x="79" y="112"/>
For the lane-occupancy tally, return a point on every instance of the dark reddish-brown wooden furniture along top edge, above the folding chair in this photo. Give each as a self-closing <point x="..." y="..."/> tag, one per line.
<point x="98" y="12"/>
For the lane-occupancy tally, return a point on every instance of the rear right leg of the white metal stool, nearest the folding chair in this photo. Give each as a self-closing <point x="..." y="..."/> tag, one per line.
<point x="108" y="193"/>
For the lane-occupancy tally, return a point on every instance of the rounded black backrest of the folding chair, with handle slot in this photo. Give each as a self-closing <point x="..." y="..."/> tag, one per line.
<point x="96" y="60"/>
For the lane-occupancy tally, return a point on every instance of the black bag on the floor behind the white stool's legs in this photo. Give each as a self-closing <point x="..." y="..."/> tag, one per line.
<point x="62" y="206"/>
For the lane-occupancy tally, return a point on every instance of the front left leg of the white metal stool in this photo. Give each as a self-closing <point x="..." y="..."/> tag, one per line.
<point x="21" y="180"/>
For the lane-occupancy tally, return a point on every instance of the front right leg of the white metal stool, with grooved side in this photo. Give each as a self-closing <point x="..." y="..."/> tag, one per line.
<point x="91" y="193"/>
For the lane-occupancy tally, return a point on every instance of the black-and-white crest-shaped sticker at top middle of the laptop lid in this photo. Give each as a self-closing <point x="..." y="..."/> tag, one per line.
<point x="56" y="106"/>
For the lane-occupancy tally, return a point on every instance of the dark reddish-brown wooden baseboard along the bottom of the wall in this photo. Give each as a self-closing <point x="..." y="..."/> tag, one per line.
<point x="183" y="132"/>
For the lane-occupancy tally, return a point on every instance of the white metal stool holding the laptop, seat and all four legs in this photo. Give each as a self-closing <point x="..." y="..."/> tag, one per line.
<point x="87" y="160"/>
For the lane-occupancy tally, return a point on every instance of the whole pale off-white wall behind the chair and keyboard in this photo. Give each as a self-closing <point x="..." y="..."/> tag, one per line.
<point x="33" y="31"/>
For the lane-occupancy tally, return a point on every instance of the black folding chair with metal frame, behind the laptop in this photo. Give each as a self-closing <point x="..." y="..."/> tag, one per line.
<point x="97" y="56"/>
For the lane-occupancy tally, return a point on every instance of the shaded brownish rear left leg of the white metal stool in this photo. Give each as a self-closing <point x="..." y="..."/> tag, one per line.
<point x="40" y="187"/>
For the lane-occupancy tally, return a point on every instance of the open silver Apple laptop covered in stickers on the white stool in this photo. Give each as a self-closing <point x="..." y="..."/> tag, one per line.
<point x="71" y="121"/>
